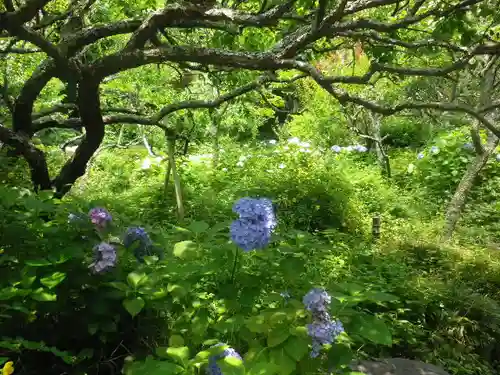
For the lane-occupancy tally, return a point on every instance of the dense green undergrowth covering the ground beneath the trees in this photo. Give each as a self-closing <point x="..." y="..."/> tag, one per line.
<point x="403" y="295"/>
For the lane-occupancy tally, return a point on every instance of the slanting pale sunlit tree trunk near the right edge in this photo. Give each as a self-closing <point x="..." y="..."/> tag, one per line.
<point x="459" y="198"/>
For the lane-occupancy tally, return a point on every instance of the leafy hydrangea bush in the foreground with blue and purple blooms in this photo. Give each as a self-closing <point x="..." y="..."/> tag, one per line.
<point x="194" y="298"/>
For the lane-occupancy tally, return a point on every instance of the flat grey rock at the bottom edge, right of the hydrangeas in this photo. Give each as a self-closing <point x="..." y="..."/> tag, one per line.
<point x="397" y="366"/>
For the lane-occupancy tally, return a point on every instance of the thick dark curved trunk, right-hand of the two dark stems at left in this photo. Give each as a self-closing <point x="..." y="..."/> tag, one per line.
<point x="90" y="112"/>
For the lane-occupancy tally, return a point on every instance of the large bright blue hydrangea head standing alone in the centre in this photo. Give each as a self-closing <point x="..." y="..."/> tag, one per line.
<point x="256" y="222"/>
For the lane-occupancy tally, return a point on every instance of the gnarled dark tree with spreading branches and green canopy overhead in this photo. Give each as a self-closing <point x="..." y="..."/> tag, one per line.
<point x="85" y="43"/>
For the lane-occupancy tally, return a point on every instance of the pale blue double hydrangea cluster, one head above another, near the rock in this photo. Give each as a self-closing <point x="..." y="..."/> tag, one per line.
<point x="322" y="330"/>
